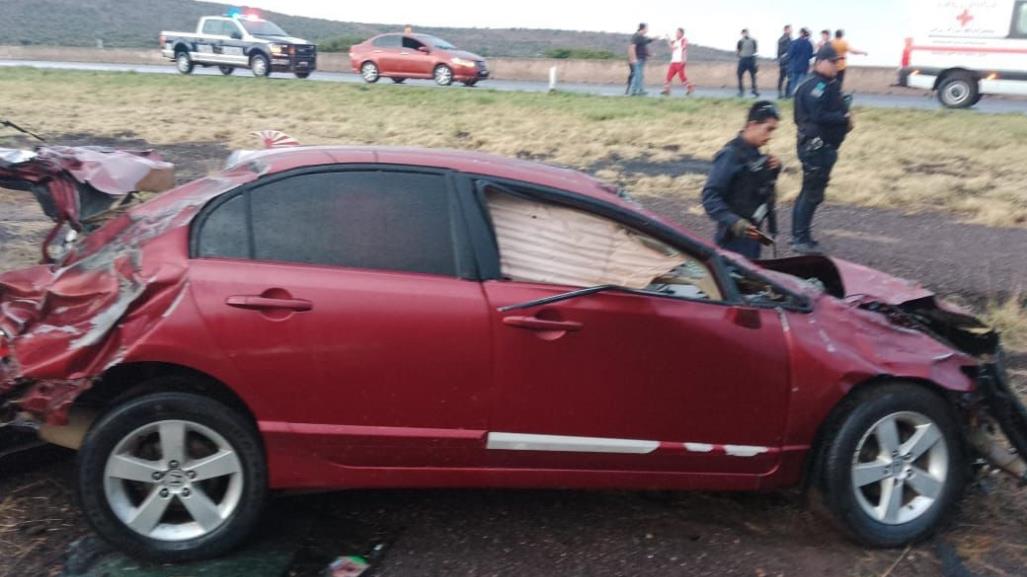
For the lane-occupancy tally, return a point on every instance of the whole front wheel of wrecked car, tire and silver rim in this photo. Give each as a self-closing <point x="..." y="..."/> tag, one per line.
<point x="896" y="466"/>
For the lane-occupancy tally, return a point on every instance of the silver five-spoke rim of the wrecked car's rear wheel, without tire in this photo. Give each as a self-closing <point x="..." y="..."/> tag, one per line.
<point x="174" y="481"/>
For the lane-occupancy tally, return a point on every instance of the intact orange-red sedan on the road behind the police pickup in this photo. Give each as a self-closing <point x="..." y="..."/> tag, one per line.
<point x="416" y="56"/>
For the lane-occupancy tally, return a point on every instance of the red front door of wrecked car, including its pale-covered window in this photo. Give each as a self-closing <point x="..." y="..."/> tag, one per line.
<point x="676" y="380"/>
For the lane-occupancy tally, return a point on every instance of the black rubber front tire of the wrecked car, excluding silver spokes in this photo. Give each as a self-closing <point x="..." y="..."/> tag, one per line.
<point x="853" y="428"/>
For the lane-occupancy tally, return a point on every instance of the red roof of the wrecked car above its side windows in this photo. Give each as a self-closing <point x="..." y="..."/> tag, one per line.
<point x="282" y="160"/>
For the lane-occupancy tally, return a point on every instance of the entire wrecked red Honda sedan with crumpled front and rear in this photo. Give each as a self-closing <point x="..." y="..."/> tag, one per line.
<point x="355" y="318"/>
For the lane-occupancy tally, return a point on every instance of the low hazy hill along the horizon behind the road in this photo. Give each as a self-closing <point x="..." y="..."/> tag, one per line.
<point x="137" y="24"/>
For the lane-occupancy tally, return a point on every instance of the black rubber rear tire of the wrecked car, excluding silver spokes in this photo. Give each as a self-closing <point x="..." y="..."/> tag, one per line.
<point x="127" y="425"/>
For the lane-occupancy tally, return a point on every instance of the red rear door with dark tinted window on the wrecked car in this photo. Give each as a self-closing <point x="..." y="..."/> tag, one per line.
<point x="345" y="301"/>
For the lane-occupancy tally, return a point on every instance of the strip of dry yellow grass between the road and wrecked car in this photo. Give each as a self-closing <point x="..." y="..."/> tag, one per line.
<point x="962" y="163"/>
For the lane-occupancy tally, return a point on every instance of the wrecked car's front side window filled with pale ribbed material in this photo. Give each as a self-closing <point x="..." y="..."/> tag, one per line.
<point x="549" y="244"/>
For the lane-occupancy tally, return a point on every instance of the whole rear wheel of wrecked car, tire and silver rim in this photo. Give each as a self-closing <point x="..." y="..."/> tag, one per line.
<point x="172" y="477"/>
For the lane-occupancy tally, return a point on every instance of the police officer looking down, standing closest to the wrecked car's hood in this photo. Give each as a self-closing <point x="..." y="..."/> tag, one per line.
<point x="740" y="194"/>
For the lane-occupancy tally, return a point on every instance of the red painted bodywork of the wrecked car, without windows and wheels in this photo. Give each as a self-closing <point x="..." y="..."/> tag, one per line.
<point x="397" y="379"/>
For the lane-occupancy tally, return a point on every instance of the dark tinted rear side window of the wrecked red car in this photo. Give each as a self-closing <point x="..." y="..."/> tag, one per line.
<point x="368" y="220"/>
